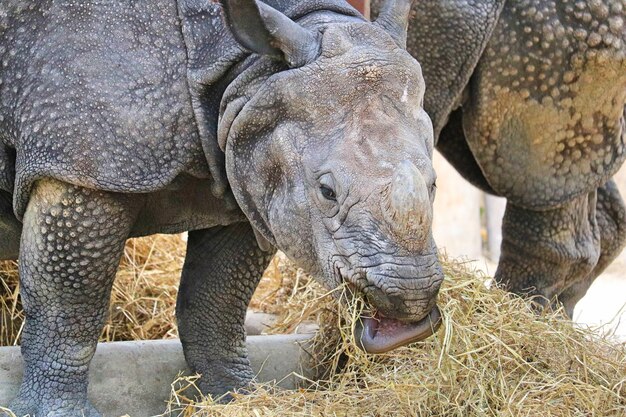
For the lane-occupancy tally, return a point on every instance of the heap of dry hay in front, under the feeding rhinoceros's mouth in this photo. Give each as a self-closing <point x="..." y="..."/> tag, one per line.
<point x="493" y="357"/>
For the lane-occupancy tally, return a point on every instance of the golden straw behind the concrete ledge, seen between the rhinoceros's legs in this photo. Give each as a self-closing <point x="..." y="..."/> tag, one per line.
<point x="143" y="299"/>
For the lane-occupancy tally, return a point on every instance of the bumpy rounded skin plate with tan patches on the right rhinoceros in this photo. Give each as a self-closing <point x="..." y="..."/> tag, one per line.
<point x="545" y="119"/>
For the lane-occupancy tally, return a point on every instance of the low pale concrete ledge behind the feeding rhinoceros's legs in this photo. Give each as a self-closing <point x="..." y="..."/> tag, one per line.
<point x="134" y="377"/>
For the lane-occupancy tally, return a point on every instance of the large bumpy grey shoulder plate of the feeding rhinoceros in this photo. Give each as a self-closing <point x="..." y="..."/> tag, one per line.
<point x="95" y="93"/>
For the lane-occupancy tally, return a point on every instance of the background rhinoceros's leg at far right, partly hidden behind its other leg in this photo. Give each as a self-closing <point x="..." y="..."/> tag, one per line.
<point x="611" y="219"/>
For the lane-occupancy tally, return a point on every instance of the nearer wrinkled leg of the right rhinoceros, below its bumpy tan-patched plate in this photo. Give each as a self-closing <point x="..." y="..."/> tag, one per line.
<point x="546" y="252"/>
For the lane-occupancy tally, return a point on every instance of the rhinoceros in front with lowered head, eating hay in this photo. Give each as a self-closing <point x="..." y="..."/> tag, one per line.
<point x="122" y="119"/>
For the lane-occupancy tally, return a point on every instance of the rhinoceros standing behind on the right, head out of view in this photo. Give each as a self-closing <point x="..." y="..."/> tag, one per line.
<point x="527" y="99"/>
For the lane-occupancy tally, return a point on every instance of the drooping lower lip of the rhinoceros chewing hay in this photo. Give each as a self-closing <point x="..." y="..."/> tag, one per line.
<point x="381" y="334"/>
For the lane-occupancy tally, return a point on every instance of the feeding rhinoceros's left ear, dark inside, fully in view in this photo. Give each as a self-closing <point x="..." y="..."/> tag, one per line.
<point x="264" y="30"/>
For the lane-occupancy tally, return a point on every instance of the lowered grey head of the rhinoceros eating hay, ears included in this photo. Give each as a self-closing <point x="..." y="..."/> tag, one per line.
<point x="328" y="153"/>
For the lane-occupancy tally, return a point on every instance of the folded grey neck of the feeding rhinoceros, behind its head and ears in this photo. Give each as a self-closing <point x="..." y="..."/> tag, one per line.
<point x="215" y="59"/>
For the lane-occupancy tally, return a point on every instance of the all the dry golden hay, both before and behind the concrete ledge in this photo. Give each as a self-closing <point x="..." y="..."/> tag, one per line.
<point x="493" y="355"/>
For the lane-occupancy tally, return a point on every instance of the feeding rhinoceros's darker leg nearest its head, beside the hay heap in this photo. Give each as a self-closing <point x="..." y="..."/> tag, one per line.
<point x="222" y="269"/>
